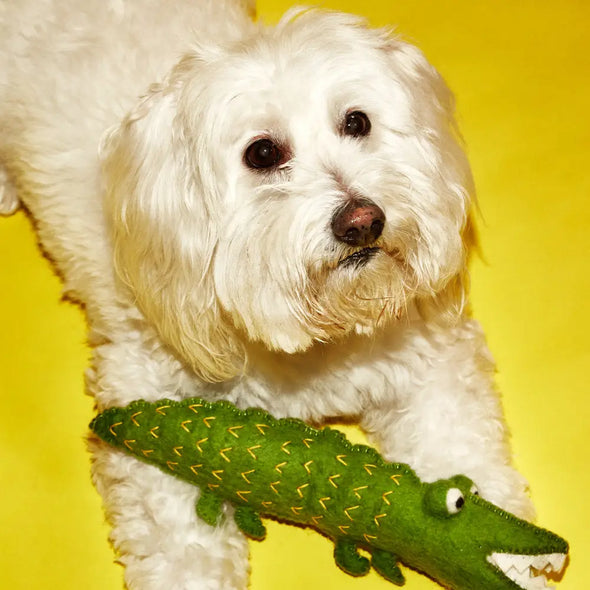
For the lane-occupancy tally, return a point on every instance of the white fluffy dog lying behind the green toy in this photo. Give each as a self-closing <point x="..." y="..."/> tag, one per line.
<point x="275" y="216"/>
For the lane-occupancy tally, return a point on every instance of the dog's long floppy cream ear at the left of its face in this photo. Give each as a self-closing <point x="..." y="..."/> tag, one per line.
<point x="164" y="233"/>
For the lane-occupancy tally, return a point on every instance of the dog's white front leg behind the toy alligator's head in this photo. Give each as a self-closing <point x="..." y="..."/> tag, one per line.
<point x="445" y="416"/>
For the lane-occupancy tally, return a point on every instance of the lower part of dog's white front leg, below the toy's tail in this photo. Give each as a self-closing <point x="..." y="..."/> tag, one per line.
<point x="157" y="534"/>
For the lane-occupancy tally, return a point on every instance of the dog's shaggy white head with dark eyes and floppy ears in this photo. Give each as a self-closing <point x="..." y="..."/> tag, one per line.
<point x="294" y="189"/>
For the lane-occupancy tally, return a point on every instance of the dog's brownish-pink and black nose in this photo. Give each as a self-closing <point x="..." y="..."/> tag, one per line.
<point x="359" y="223"/>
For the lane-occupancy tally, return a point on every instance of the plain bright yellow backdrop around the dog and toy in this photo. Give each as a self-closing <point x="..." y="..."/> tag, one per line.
<point x="521" y="74"/>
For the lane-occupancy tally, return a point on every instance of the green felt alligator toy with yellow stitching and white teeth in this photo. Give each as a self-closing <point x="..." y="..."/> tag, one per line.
<point x="287" y="470"/>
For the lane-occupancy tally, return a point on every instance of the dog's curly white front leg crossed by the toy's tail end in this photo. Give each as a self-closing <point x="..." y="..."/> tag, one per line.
<point x="155" y="528"/>
